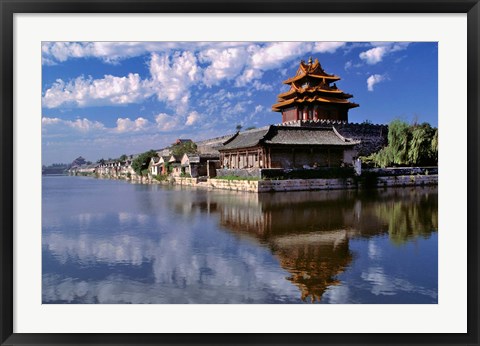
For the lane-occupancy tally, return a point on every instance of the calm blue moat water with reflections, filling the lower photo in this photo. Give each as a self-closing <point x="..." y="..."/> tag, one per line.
<point x="107" y="241"/>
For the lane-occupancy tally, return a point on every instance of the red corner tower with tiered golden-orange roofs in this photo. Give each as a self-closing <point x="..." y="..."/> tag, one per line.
<point x="312" y="96"/>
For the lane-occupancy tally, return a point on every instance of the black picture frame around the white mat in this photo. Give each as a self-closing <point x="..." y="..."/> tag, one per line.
<point x="10" y="7"/>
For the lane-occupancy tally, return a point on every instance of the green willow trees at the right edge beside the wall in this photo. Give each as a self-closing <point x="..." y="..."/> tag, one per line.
<point x="408" y="145"/>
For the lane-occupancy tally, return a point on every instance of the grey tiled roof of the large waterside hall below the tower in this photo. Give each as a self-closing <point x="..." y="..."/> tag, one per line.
<point x="285" y="135"/>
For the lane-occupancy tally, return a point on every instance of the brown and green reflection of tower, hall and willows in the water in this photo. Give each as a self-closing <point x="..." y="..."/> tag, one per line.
<point x="309" y="232"/>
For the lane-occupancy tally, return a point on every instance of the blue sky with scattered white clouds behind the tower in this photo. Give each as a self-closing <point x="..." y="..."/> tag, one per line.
<point x="105" y="99"/>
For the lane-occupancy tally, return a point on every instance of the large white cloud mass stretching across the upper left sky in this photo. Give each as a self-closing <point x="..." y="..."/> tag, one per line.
<point x="175" y="70"/>
